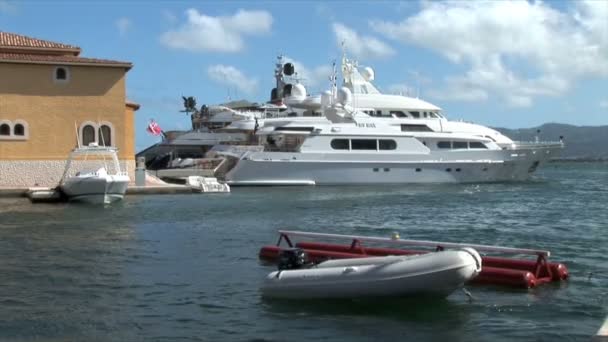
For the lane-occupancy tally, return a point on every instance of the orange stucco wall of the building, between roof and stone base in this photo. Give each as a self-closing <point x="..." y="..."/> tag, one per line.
<point x="52" y="109"/>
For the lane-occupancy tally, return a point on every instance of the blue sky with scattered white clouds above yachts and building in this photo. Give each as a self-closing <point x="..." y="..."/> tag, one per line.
<point x="499" y="63"/>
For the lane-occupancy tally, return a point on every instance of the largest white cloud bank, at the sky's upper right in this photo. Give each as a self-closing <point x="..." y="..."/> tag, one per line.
<point x="517" y="50"/>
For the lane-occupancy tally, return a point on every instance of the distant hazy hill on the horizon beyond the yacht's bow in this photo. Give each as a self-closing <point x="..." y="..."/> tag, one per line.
<point x="582" y="142"/>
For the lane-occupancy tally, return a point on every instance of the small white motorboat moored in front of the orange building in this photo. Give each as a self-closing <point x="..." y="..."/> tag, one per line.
<point x="99" y="186"/>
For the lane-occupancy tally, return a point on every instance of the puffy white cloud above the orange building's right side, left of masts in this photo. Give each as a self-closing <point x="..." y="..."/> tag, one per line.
<point x="220" y="34"/>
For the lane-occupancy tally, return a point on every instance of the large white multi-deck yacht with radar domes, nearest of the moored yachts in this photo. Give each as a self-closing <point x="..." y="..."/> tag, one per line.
<point x="350" y="144"/>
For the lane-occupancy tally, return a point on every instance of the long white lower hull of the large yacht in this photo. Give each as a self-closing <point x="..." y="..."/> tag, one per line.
<point x="333" y="169"/>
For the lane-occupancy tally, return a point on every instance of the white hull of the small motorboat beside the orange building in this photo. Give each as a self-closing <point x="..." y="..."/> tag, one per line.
<point x="95" y="189"/>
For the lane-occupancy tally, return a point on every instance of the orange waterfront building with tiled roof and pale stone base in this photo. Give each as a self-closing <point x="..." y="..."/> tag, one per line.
<point x="50" y="96"/>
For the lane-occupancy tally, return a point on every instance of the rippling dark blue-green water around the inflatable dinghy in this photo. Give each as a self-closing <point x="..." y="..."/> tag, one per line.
<point x="185" y="267"/>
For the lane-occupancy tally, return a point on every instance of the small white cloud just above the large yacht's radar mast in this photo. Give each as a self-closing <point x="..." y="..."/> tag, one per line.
<point x="361" y="46"/>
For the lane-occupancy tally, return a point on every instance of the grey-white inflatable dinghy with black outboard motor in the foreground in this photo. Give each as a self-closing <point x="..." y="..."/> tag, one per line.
<point x="435" y="274"/>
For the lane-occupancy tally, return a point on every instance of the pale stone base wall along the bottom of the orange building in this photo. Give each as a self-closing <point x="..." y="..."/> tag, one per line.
<point x="29" y="173"/>
